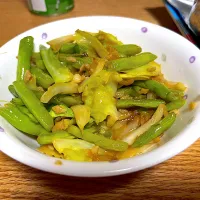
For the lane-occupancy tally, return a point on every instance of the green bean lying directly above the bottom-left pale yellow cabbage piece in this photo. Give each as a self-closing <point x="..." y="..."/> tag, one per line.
<point x="49" y="138"/>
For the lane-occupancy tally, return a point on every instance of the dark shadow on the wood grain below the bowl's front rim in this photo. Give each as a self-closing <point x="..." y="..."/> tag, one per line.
<point x="89" y="188"/>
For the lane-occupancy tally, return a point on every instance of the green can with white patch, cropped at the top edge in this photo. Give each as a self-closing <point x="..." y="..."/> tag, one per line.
<point x="50" y="7"/>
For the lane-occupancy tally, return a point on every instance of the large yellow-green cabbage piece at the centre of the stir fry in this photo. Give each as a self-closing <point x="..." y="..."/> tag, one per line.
<point x="98" y="94"/>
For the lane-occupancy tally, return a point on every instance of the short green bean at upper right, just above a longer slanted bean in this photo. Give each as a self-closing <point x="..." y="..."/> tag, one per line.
<point x="128" y="49"/>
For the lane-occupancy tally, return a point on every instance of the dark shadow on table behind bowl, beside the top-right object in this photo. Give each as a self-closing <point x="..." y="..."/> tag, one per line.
<point x="161" y="14"/>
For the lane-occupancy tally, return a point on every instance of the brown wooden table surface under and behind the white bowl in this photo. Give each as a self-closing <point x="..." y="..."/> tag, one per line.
<point x="177" y="178"/>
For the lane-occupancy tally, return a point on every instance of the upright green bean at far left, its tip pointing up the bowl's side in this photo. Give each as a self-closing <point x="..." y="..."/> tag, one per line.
<point x="24" y="56"/>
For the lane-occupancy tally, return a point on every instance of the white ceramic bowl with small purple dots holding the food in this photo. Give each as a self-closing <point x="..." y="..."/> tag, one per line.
<point x="180" y="62"/>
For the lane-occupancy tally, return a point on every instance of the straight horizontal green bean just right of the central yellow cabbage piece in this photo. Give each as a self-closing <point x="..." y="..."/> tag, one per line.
<point x="145" y="103"/>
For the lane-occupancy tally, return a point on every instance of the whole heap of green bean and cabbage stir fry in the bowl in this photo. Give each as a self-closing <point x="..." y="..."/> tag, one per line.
<point x="89" y="97"/>
